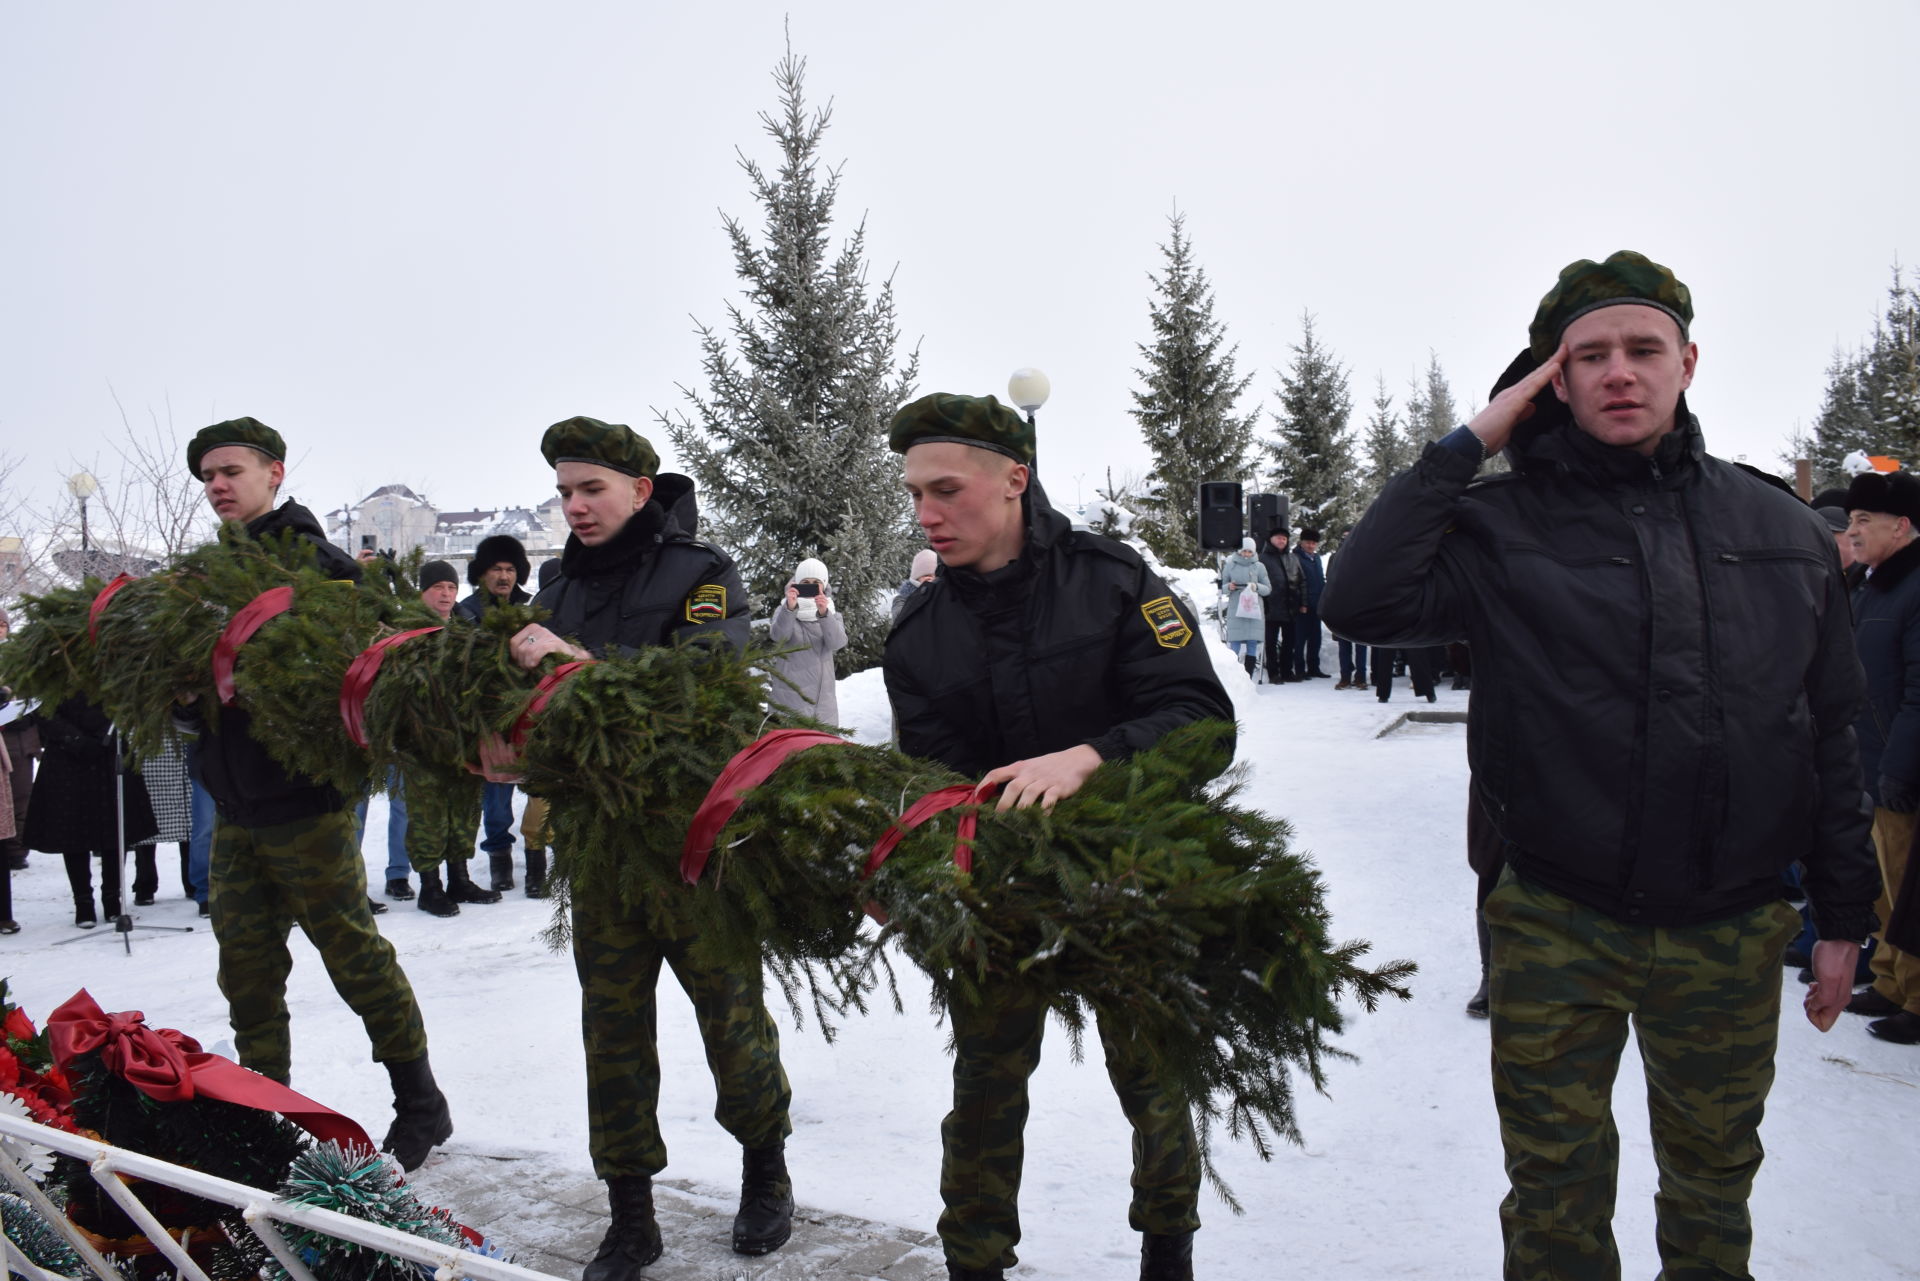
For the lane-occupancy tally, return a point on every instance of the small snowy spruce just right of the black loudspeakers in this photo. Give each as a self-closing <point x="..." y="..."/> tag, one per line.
<point x="1312" y="454"/>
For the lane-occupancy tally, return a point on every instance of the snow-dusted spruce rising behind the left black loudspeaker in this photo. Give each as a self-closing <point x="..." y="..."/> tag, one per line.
<point x="1188" y="402"/>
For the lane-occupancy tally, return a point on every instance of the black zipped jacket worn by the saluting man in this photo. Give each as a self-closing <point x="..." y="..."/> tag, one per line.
<point x="1664" y="671"/>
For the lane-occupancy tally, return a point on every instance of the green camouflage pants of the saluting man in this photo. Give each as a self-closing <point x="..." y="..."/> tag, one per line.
<point x="1706" y="1009"/>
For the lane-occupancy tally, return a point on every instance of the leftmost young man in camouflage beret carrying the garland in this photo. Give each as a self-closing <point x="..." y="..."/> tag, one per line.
<point x="285" y="850"/>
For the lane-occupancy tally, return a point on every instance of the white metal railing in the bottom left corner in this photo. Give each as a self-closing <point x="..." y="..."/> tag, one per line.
<point x="264" y="1215"/>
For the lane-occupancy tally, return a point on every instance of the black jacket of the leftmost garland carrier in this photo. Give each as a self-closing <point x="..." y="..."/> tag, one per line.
<point x="249" y="786"/>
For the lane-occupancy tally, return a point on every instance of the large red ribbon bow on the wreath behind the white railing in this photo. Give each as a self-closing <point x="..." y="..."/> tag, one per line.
<point x="172" y="1067"/>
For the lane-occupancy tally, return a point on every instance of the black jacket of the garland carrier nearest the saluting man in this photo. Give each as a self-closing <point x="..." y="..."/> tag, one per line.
<point x="1076" y="642"/>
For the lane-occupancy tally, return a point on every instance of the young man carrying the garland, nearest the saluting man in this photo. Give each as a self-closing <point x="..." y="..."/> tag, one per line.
<point x="1036" y="656"/>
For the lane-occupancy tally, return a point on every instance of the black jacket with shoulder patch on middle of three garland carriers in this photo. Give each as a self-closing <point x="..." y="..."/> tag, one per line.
<point x="650" y="585"/>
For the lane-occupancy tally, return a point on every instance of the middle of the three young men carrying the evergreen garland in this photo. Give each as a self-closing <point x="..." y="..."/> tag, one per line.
<point x="633" y="577"/>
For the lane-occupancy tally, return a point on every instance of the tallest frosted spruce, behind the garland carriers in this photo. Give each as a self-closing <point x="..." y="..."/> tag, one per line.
<point x="788" y="441"/>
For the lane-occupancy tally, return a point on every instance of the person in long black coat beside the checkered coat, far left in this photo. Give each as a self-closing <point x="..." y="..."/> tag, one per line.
<point x="74" y="811"/>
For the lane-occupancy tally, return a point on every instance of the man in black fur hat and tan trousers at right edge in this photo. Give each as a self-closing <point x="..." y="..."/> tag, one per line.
<point x="1883" y="512"/>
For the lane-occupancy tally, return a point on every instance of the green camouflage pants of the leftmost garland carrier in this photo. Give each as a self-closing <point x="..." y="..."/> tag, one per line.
<point x="308" y="873"/>
